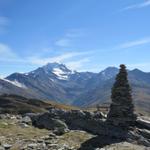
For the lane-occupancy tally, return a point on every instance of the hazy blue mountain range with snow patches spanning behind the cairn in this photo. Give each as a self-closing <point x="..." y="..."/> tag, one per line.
<point x="56" y="82"/>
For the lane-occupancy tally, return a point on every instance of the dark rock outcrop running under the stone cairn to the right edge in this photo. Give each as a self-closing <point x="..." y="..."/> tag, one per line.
<point x="88" y="121"/>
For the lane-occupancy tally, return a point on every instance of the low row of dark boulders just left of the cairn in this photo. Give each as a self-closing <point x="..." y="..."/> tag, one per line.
<point x="60" y="121"/>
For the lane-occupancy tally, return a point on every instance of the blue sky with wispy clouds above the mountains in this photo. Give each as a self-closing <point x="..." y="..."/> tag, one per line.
<point x="86" y="35"/>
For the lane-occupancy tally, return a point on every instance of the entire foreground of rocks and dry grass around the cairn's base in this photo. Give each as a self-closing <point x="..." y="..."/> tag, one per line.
<point x="69" y="130"/>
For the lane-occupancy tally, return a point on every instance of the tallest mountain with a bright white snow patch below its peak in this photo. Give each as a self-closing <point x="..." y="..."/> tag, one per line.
<point x="53" y="81"/>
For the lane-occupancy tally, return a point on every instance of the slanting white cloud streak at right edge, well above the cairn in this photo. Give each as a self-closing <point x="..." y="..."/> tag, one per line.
<point x="134" y="43"/>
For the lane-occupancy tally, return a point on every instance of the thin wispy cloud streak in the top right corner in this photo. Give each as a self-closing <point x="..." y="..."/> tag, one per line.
<point x="137" y="6"/>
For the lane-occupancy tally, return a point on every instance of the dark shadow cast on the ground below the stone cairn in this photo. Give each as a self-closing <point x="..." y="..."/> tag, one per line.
<point x="110" y="135"/>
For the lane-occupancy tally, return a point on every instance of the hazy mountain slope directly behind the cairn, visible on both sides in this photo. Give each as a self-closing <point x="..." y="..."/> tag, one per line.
<point x="140" y="88"/>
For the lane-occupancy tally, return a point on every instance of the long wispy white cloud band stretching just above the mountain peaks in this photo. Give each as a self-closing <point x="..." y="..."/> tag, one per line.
<point x="74" y="60"/>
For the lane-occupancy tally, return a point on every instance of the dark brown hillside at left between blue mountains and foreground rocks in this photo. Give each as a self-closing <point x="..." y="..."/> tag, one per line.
<point x="20" y="105"/>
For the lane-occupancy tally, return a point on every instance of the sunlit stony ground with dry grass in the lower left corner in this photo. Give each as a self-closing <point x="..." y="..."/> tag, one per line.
<point x="17" y="133"/>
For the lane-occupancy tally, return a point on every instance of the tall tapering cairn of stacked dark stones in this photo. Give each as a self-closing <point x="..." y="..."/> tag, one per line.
<point x="121" y="109"/>
